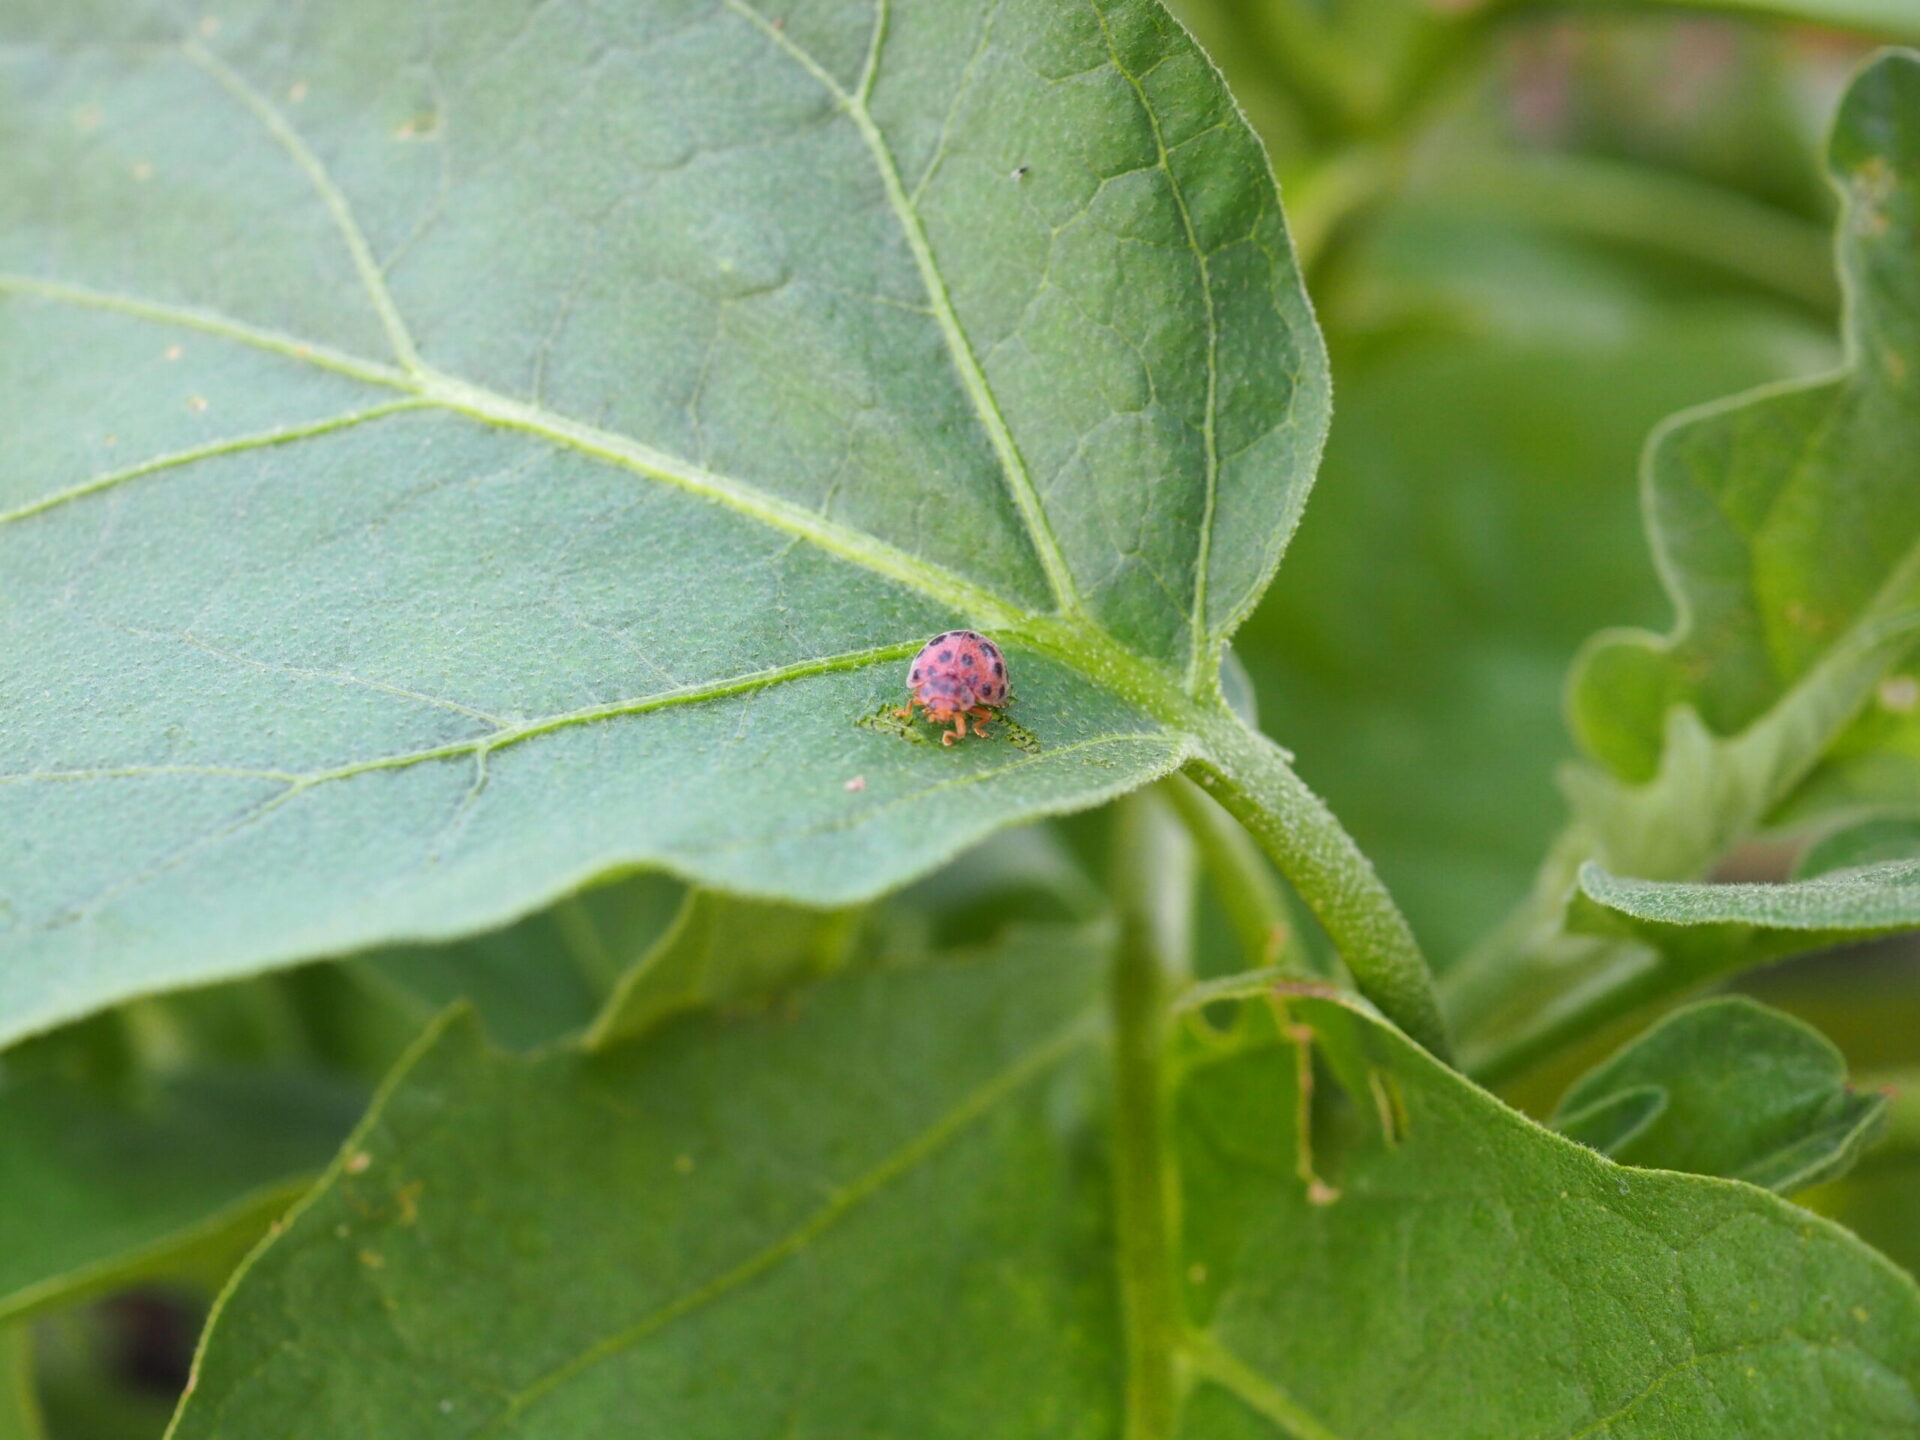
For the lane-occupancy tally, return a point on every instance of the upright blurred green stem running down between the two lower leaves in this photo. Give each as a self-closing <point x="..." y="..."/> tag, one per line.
<point x="1153" y="892"/>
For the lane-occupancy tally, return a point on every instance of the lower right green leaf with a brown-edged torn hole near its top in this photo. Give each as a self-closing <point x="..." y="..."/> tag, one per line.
<point x="1476" y="1276"/>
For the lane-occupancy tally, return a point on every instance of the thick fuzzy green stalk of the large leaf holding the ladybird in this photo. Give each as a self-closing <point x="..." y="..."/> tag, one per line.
<point x="1249" y="775"/>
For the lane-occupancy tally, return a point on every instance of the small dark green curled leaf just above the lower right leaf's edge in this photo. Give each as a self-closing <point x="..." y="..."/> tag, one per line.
<point x="1727" y="1088"/>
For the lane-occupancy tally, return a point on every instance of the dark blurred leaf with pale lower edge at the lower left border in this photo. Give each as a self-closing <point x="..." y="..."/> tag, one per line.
<point x="105" y="1189"/>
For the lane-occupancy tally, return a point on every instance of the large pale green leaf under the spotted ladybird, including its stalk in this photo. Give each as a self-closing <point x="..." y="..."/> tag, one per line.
<point x="452" y="458"/>
